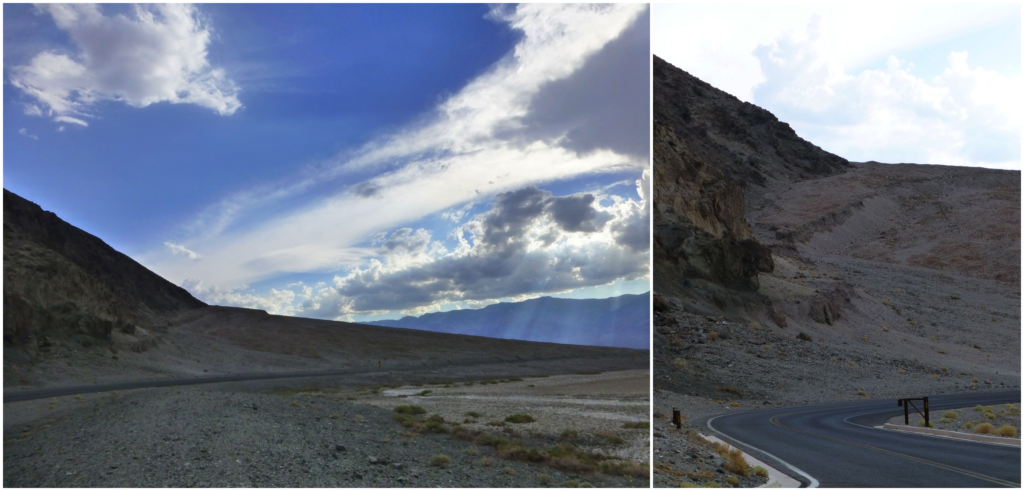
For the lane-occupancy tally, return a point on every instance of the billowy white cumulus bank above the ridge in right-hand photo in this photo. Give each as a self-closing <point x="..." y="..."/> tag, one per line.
<point x="966" y="116"/>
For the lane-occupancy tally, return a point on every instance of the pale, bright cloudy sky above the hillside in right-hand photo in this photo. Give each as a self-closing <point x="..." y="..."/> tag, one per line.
<point x="929" y="84"/>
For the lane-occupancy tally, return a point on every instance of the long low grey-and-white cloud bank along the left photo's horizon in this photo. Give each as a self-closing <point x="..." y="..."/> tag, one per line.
<point x="530" y="243"/>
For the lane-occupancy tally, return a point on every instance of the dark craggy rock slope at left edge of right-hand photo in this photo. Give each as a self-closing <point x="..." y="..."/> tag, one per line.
<point x="711" y="150"/>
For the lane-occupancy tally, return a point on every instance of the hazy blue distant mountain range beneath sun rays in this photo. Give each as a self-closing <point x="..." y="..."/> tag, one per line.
<point x="621" y="321"/>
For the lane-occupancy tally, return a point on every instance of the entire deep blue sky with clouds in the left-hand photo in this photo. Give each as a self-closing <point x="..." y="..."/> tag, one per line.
<point x="343" y="161"/>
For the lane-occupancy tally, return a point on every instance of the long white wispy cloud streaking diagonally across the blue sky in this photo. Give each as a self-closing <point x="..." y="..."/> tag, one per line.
<point x="457" y="156"/>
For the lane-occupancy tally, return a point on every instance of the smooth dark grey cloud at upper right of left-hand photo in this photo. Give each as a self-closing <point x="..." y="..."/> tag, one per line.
<point x="606" y="104"/>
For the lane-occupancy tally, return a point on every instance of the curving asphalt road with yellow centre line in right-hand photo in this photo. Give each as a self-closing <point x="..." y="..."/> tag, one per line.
<point x="835" y="445"/>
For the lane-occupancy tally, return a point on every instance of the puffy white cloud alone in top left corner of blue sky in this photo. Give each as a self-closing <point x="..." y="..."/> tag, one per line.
<point x="157" y="55"/>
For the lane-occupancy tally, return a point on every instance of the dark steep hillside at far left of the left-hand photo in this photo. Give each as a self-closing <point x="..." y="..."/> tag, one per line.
<point x="63" y="283"/>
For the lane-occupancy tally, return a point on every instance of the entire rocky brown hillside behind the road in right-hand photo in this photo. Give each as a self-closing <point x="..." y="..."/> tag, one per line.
<point x="895" y="277"/>
